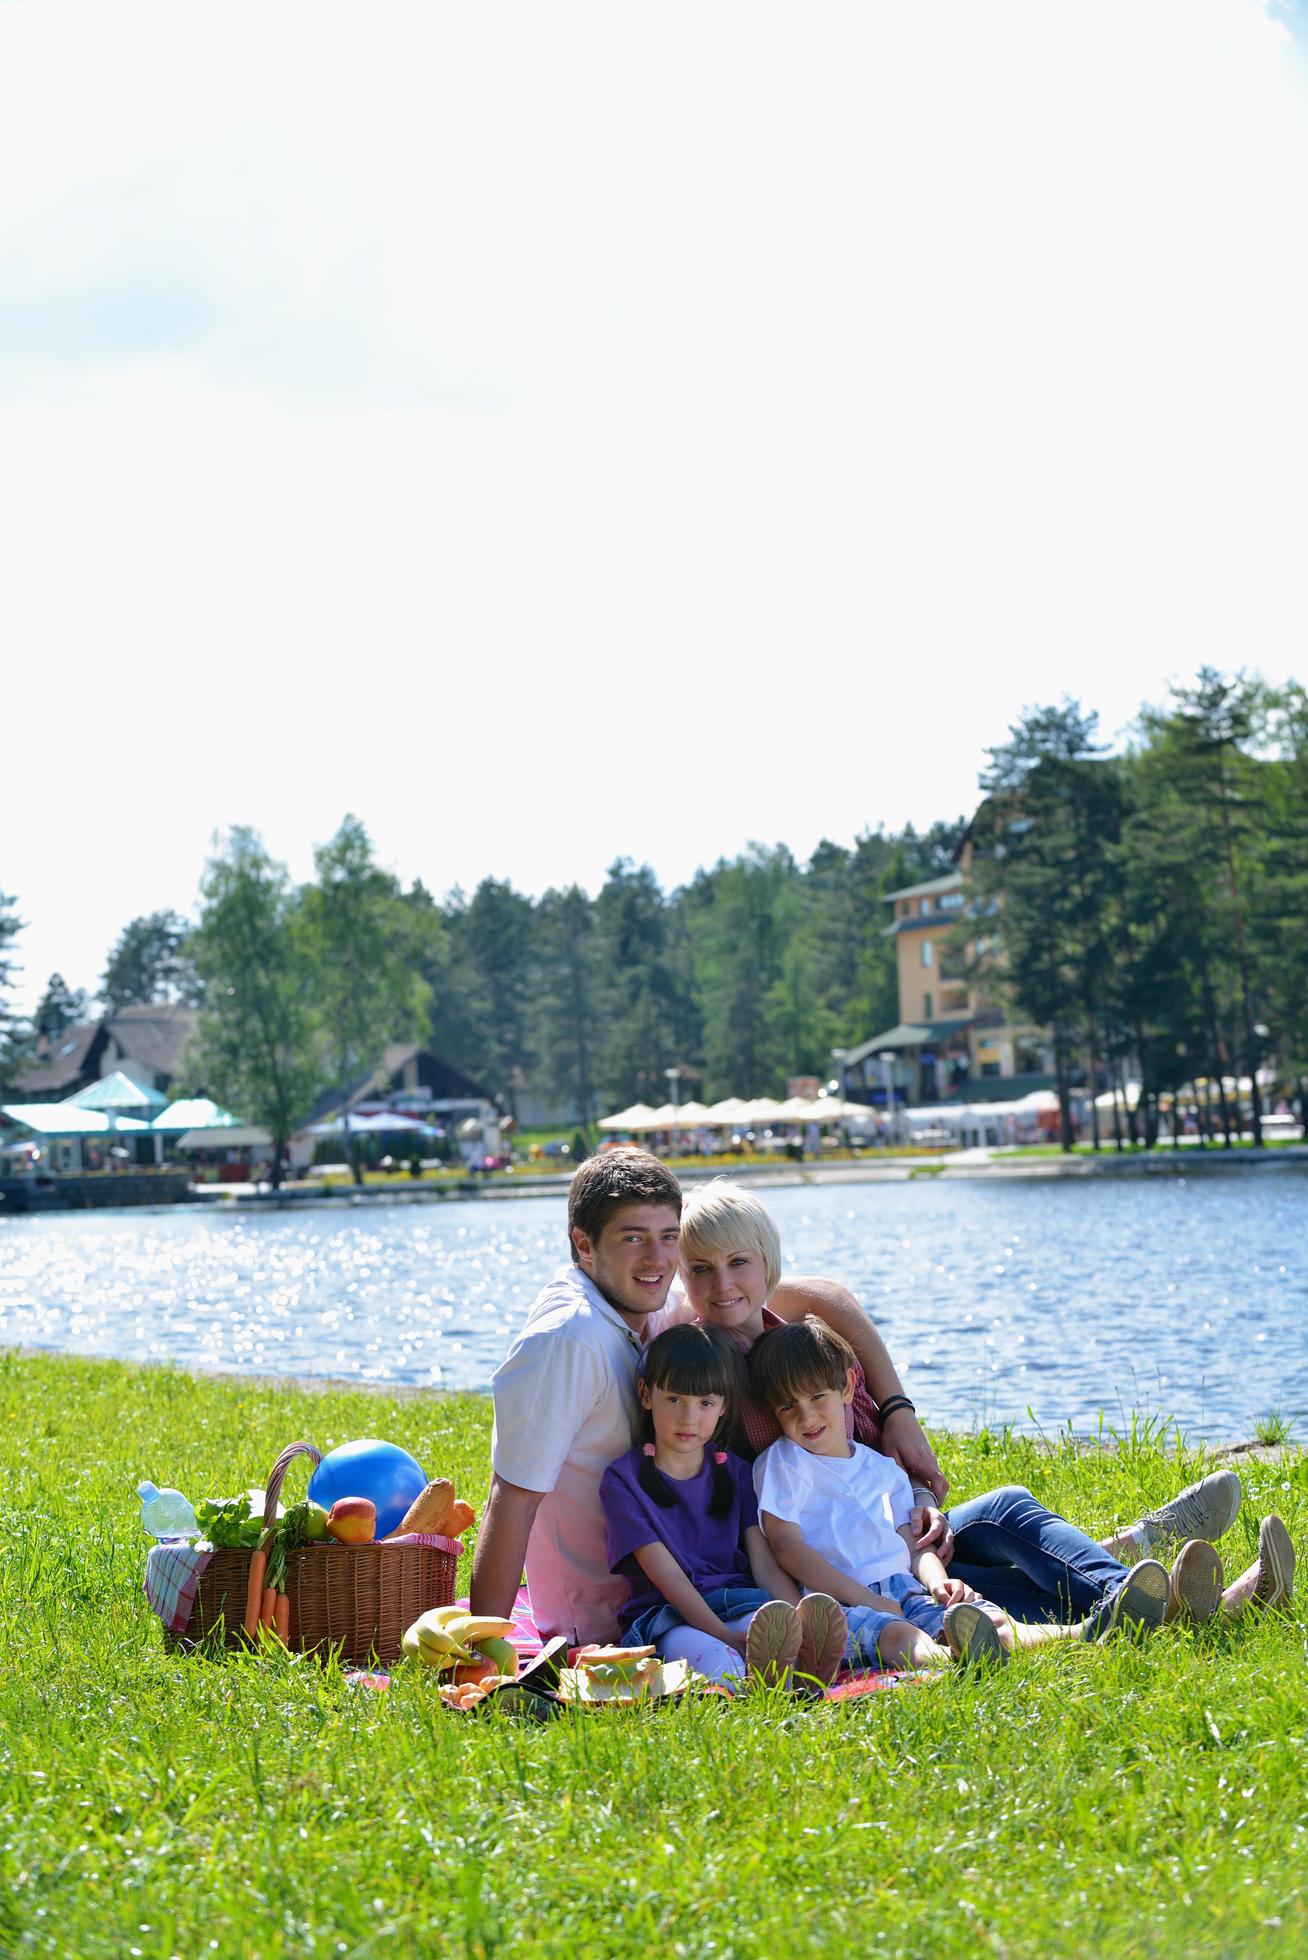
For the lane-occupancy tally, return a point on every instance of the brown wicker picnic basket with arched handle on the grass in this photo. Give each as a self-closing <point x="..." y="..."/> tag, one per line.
<point x="352" y="1598"/>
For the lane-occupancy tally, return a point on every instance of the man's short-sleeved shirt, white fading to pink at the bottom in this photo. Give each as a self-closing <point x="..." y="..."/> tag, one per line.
<point x="566" y="1408"/>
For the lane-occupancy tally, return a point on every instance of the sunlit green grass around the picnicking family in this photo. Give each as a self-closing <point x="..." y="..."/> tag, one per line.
<point x="1123" y="1800"/>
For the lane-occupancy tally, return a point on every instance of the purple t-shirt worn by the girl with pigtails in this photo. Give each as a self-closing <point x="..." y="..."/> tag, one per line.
<point x="711" y="1551"/>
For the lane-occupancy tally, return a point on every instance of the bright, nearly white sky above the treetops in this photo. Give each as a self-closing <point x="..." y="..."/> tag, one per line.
<point x="578" y="432"/>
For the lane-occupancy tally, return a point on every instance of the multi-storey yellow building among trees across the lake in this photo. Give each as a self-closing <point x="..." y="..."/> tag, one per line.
<point x="950" y="1040"/>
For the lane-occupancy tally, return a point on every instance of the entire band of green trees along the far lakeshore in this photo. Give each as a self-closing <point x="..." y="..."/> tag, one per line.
<point x="1154" y="916"/>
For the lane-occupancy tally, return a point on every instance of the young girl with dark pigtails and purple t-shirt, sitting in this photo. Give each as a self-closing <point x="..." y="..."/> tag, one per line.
<point x="683" y="1530"/>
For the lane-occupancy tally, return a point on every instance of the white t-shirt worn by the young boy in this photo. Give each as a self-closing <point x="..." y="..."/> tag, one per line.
<point x="848" y="1508"/>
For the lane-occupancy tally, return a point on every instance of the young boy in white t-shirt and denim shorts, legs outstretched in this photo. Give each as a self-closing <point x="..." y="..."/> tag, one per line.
<point x="836" y="1518"/>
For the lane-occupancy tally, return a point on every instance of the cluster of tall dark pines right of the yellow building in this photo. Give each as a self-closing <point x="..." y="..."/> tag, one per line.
<point x="1156" y="905"/>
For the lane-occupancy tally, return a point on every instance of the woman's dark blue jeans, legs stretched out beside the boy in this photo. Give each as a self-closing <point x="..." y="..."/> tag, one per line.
<point x="1027" y="1559"/>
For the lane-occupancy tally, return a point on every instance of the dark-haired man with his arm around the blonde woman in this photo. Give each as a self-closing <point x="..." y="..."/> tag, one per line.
<point x="566" y="1396"/>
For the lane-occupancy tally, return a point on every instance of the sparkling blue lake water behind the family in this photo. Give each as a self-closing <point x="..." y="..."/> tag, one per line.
<point x="1029" y="1302"/>
